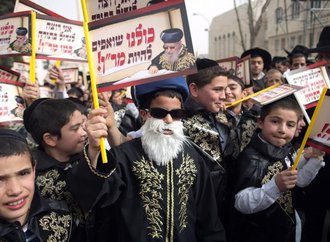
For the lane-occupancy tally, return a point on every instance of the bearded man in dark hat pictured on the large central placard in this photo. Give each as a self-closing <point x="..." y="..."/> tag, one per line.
<point x="175" y="56"/>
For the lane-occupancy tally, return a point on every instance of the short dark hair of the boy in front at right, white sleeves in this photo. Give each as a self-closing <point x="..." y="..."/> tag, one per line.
<point x="288" y="103"/>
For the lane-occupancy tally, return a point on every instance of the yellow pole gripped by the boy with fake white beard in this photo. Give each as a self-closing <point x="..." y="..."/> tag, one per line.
<point x="92" y="74"/>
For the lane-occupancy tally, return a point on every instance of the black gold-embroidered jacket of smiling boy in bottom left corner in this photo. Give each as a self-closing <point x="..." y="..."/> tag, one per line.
<point x="49" y="220"/>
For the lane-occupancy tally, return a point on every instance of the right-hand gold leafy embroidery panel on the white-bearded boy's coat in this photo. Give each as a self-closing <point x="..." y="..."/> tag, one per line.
<point x="187" y="175"/>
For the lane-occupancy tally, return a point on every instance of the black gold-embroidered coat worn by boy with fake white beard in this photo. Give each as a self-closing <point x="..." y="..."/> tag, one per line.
<point x="160" y="203"/>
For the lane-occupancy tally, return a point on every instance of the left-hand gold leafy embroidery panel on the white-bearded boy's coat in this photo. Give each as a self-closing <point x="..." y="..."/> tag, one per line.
<point x="150" y="193"/>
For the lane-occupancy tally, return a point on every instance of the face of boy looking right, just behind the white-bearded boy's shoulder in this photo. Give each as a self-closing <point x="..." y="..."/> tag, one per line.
<point x="212" y="95"/>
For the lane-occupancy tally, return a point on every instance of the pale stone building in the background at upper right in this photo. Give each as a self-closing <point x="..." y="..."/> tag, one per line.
<point x="285" y="24"/>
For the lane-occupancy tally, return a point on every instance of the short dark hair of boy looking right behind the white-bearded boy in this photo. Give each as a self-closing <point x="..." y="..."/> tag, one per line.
<point x="206" y="75"/>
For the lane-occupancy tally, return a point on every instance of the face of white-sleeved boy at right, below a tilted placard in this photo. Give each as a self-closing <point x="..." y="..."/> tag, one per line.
<point x="279" y="126"/>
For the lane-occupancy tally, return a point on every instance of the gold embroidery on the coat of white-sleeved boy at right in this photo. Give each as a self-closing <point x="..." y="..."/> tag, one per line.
<point x="285" y="200"/>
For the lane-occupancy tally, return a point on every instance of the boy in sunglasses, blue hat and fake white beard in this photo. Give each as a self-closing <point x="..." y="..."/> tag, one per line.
<point x="161" y="190"/>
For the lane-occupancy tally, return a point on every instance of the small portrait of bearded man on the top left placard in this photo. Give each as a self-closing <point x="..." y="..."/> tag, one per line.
<point x="21" y="44"/>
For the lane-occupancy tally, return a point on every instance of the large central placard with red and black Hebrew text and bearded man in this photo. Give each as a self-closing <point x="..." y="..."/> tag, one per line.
<point x="144" y="46"/>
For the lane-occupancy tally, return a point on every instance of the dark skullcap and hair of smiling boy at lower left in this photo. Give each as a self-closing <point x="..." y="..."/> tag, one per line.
<point x="13" y="143"/>
